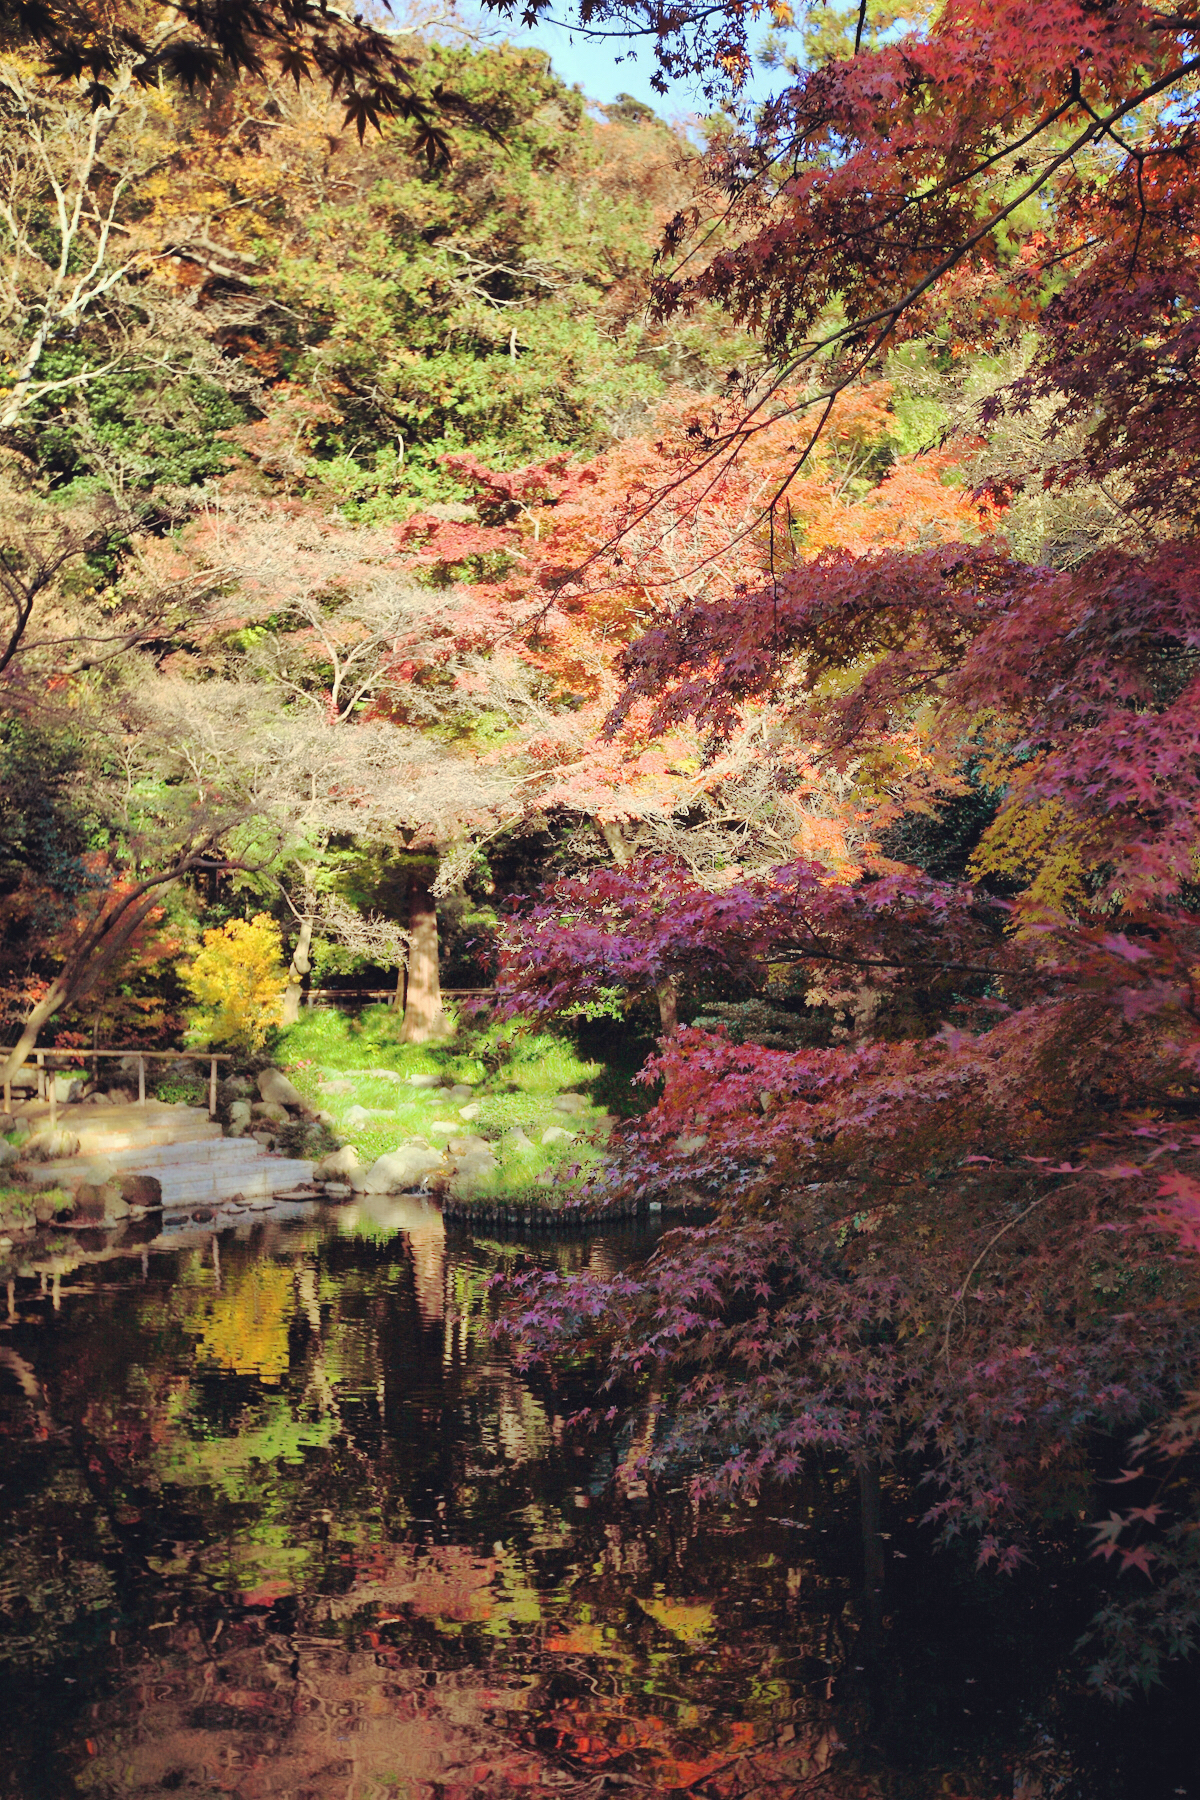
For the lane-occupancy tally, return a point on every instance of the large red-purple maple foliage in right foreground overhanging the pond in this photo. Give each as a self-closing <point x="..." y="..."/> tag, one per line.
<point x="945" y="1246"/>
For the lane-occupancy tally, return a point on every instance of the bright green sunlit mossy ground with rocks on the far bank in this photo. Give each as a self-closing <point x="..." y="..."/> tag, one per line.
<point x="515" y="1075"/>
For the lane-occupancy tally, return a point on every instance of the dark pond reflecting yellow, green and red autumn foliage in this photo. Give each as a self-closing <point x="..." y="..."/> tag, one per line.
<point x="283" y="1520"/>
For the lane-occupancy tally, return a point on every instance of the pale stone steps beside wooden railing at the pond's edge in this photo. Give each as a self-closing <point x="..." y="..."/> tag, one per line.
<point x="183" y="1147"/>
